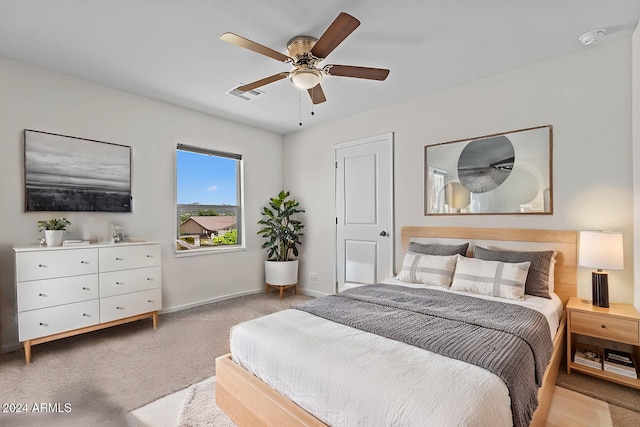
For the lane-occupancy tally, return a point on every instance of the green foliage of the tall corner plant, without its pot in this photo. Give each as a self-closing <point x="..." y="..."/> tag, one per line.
<point x="280" y="228"/>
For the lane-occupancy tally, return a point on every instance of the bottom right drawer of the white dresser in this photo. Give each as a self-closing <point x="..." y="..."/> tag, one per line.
<point x="121" y="306"/>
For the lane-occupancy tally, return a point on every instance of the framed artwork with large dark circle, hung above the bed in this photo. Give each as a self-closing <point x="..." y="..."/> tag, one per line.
<point x="502" y="173"/>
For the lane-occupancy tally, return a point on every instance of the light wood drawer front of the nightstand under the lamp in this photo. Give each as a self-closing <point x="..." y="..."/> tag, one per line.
<point x="606" y="327"/>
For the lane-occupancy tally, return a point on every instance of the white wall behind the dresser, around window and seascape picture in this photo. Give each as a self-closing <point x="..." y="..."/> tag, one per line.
<point x="34" y="98"/>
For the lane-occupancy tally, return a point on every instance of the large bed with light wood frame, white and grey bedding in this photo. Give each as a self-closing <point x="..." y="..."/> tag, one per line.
<point x="393" y="381"/>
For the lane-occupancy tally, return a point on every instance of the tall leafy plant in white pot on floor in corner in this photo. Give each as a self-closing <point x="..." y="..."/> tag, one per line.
<point x="282" y="233"/>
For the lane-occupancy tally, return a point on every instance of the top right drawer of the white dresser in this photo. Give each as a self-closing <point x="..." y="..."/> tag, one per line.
<point x="126" y="257"/>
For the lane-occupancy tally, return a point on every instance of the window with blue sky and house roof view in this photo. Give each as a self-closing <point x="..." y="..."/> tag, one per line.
<point x="209" y="208"/>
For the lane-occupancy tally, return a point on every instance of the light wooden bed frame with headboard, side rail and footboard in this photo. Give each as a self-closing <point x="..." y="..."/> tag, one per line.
<point x="248" y="401"/>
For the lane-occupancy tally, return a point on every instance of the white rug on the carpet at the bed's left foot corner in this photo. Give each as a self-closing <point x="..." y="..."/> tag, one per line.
<point x="192" y="407"/>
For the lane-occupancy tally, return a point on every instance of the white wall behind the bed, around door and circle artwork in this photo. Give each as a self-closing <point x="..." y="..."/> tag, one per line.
<point x="585" y="96"/>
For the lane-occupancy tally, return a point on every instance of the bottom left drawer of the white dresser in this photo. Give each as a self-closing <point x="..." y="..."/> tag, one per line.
<point x="48" y="321"/>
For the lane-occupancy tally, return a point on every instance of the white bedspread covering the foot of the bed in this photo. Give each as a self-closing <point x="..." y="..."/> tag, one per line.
<point x="348" y="377"/>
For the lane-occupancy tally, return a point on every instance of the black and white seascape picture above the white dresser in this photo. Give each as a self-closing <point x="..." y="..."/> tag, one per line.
<point x="66" y="173"/>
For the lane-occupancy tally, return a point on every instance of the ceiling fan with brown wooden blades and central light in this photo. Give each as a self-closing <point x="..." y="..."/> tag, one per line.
<point x="306" y="53"/>
